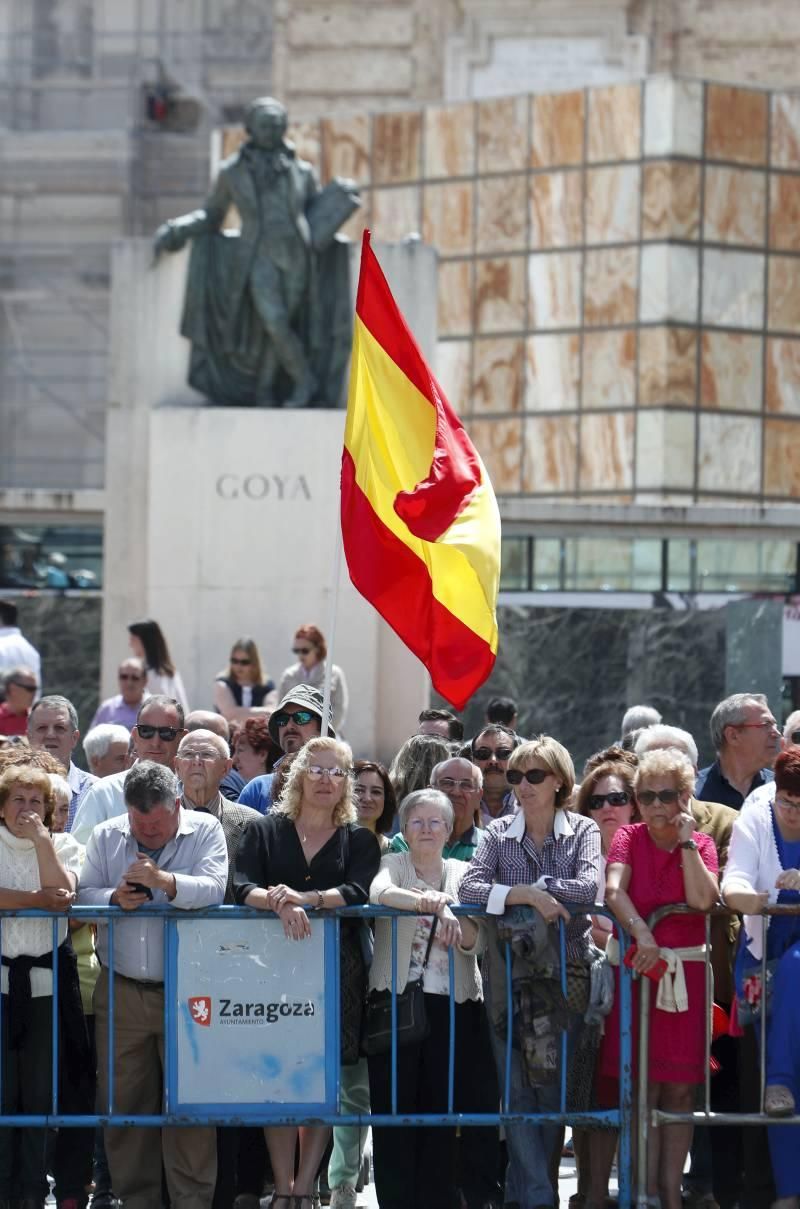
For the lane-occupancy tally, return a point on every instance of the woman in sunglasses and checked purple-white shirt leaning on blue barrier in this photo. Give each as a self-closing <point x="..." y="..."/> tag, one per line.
<point x="540" y="858"/>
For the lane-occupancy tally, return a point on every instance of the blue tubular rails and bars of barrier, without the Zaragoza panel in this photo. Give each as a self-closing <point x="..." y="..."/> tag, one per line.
<point x="619" y="1118"/>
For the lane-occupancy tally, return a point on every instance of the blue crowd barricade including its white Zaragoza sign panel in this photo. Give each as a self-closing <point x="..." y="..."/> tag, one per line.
<point x="230" y="974"/>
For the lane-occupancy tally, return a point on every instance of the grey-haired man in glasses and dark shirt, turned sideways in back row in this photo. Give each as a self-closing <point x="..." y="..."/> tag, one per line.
<point x="747" y="741"/>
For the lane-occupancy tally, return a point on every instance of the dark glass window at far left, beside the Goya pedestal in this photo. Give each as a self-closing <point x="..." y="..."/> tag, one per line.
<point x="51" y="558"/>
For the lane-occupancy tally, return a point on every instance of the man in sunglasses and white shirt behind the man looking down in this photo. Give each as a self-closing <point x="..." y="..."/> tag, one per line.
<point x="159" y="730"/>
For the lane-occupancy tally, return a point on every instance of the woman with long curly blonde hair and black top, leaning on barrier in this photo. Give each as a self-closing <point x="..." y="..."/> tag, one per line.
<point x="309" y="852"/>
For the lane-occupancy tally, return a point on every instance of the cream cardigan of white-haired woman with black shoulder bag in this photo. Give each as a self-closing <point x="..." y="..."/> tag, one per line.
<point x="397" y="870"/>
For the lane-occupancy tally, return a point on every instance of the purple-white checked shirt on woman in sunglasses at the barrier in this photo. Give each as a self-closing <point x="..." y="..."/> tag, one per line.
<point x="567" y="867"/>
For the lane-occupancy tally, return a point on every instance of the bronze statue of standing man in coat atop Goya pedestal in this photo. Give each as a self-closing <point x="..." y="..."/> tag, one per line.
<point x="268" y="309"/>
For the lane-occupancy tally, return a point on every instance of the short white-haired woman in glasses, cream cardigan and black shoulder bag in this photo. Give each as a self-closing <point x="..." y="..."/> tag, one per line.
<point x="416" y="1168"/>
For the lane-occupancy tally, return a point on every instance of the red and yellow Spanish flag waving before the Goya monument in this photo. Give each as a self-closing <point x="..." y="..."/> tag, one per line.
<point x="420" y="522"/>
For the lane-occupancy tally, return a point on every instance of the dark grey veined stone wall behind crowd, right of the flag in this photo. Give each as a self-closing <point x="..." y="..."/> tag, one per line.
<point x="573" y="673"/>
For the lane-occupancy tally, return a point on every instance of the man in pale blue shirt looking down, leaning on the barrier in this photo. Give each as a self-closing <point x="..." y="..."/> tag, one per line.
<point x="155" y="852"/>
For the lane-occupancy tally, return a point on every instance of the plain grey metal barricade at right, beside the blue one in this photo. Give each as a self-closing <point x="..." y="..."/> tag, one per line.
<point x="704" y="1117"/>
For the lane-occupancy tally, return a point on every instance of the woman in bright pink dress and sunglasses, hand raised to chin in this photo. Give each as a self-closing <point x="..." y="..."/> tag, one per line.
<point x="659" y="861"/>
